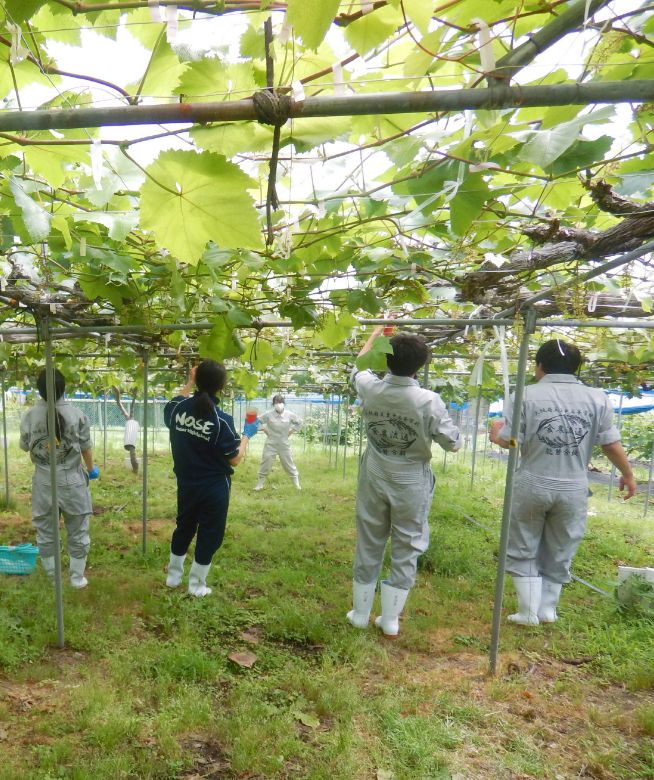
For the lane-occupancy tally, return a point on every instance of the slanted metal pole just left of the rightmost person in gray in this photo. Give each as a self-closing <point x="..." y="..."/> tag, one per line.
<point x="508" y="488"/>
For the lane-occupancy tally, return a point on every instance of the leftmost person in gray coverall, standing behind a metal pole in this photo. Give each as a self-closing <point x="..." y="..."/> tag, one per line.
<point x="73" y="435"/>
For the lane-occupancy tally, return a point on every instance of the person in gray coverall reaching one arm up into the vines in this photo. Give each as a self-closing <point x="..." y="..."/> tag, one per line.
<point x="396" y="483"/>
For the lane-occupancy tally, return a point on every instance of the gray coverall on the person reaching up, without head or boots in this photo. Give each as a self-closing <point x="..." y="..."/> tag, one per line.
<point x="396" y="483"/>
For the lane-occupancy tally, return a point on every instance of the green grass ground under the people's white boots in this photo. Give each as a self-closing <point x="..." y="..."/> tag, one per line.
<point x="145" y="687"/>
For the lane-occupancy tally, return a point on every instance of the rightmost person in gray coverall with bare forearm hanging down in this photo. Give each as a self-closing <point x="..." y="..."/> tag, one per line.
<point x="560" y="421"/>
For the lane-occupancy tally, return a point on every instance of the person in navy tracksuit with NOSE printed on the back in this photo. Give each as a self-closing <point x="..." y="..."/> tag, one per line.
<point x="205" y="446"/>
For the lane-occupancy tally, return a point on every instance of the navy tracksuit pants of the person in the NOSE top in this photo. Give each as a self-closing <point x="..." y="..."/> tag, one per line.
<point x="202" y="509"/>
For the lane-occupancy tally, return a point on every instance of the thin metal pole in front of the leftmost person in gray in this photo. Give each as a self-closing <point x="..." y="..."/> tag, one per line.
<point x="52" y="449"/>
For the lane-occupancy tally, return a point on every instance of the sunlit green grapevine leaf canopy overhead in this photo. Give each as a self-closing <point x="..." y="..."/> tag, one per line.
<point x="423" y="215"/>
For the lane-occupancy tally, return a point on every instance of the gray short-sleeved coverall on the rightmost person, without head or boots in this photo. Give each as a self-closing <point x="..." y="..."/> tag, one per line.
<point x="561" y="421"/>
